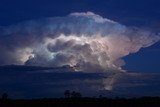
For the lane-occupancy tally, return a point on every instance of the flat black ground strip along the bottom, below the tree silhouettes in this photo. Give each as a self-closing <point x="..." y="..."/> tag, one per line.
<point x="83" y="102"/>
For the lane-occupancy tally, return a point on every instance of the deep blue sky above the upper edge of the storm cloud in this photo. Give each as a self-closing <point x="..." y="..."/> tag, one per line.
<point x="125" y="11"/>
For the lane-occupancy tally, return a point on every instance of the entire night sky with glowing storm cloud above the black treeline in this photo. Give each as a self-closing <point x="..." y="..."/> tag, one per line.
<point x="20" y="20"/>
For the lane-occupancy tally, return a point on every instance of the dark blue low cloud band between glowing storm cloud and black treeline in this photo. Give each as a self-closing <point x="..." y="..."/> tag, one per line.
<point x="37" y="83"/>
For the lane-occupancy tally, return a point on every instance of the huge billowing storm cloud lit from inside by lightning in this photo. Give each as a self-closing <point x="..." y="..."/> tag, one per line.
<point x="86" y="41"/>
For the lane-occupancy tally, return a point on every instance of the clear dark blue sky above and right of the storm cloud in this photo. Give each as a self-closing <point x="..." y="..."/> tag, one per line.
<point x="141" y="13"/>
